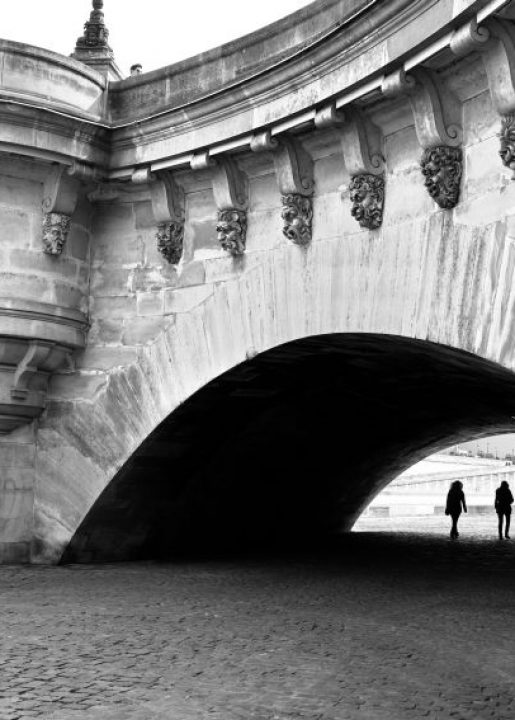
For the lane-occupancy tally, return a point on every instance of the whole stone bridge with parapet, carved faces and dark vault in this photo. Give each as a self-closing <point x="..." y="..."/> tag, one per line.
<point x="242" y="293"/>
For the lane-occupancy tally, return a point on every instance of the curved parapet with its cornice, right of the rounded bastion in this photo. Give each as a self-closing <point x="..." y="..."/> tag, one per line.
<point x="332" y="51"/>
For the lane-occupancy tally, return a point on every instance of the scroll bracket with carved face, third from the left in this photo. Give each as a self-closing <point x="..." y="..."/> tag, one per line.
<point x="231" y="198"/>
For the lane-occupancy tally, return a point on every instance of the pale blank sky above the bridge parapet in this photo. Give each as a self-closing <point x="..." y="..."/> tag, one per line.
<point x="152" y="32"/>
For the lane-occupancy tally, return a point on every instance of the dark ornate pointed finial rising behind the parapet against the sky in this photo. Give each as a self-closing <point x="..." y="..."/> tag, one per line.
<point x="93" y="48"/>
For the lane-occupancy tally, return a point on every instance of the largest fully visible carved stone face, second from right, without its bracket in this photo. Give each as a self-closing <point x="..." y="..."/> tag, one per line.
<point x="442" y="170"/>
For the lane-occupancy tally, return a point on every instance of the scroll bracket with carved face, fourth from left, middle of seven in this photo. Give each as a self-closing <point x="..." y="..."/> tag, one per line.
<point x="294" y="172"/>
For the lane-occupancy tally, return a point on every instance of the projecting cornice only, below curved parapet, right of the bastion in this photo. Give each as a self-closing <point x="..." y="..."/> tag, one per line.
<point x="286" y="96"/>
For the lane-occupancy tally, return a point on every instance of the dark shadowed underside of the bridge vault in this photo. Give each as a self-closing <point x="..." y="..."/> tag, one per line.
<point x="292" y="444"/>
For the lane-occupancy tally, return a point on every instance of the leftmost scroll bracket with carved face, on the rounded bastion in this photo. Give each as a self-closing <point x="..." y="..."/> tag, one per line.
<point x="60" y="196"/>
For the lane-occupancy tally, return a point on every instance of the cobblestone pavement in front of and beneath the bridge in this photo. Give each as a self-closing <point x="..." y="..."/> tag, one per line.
<point x="381" y="627"/>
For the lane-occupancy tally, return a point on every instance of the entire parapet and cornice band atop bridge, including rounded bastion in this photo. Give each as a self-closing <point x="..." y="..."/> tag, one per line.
<point x="360" y="43"/>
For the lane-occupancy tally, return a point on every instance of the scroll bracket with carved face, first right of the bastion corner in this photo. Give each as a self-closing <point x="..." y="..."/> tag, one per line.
<point x="168" y="208"/>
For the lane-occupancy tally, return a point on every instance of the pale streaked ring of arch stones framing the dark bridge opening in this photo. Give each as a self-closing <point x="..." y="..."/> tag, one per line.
<point x="425" y="280"/>
